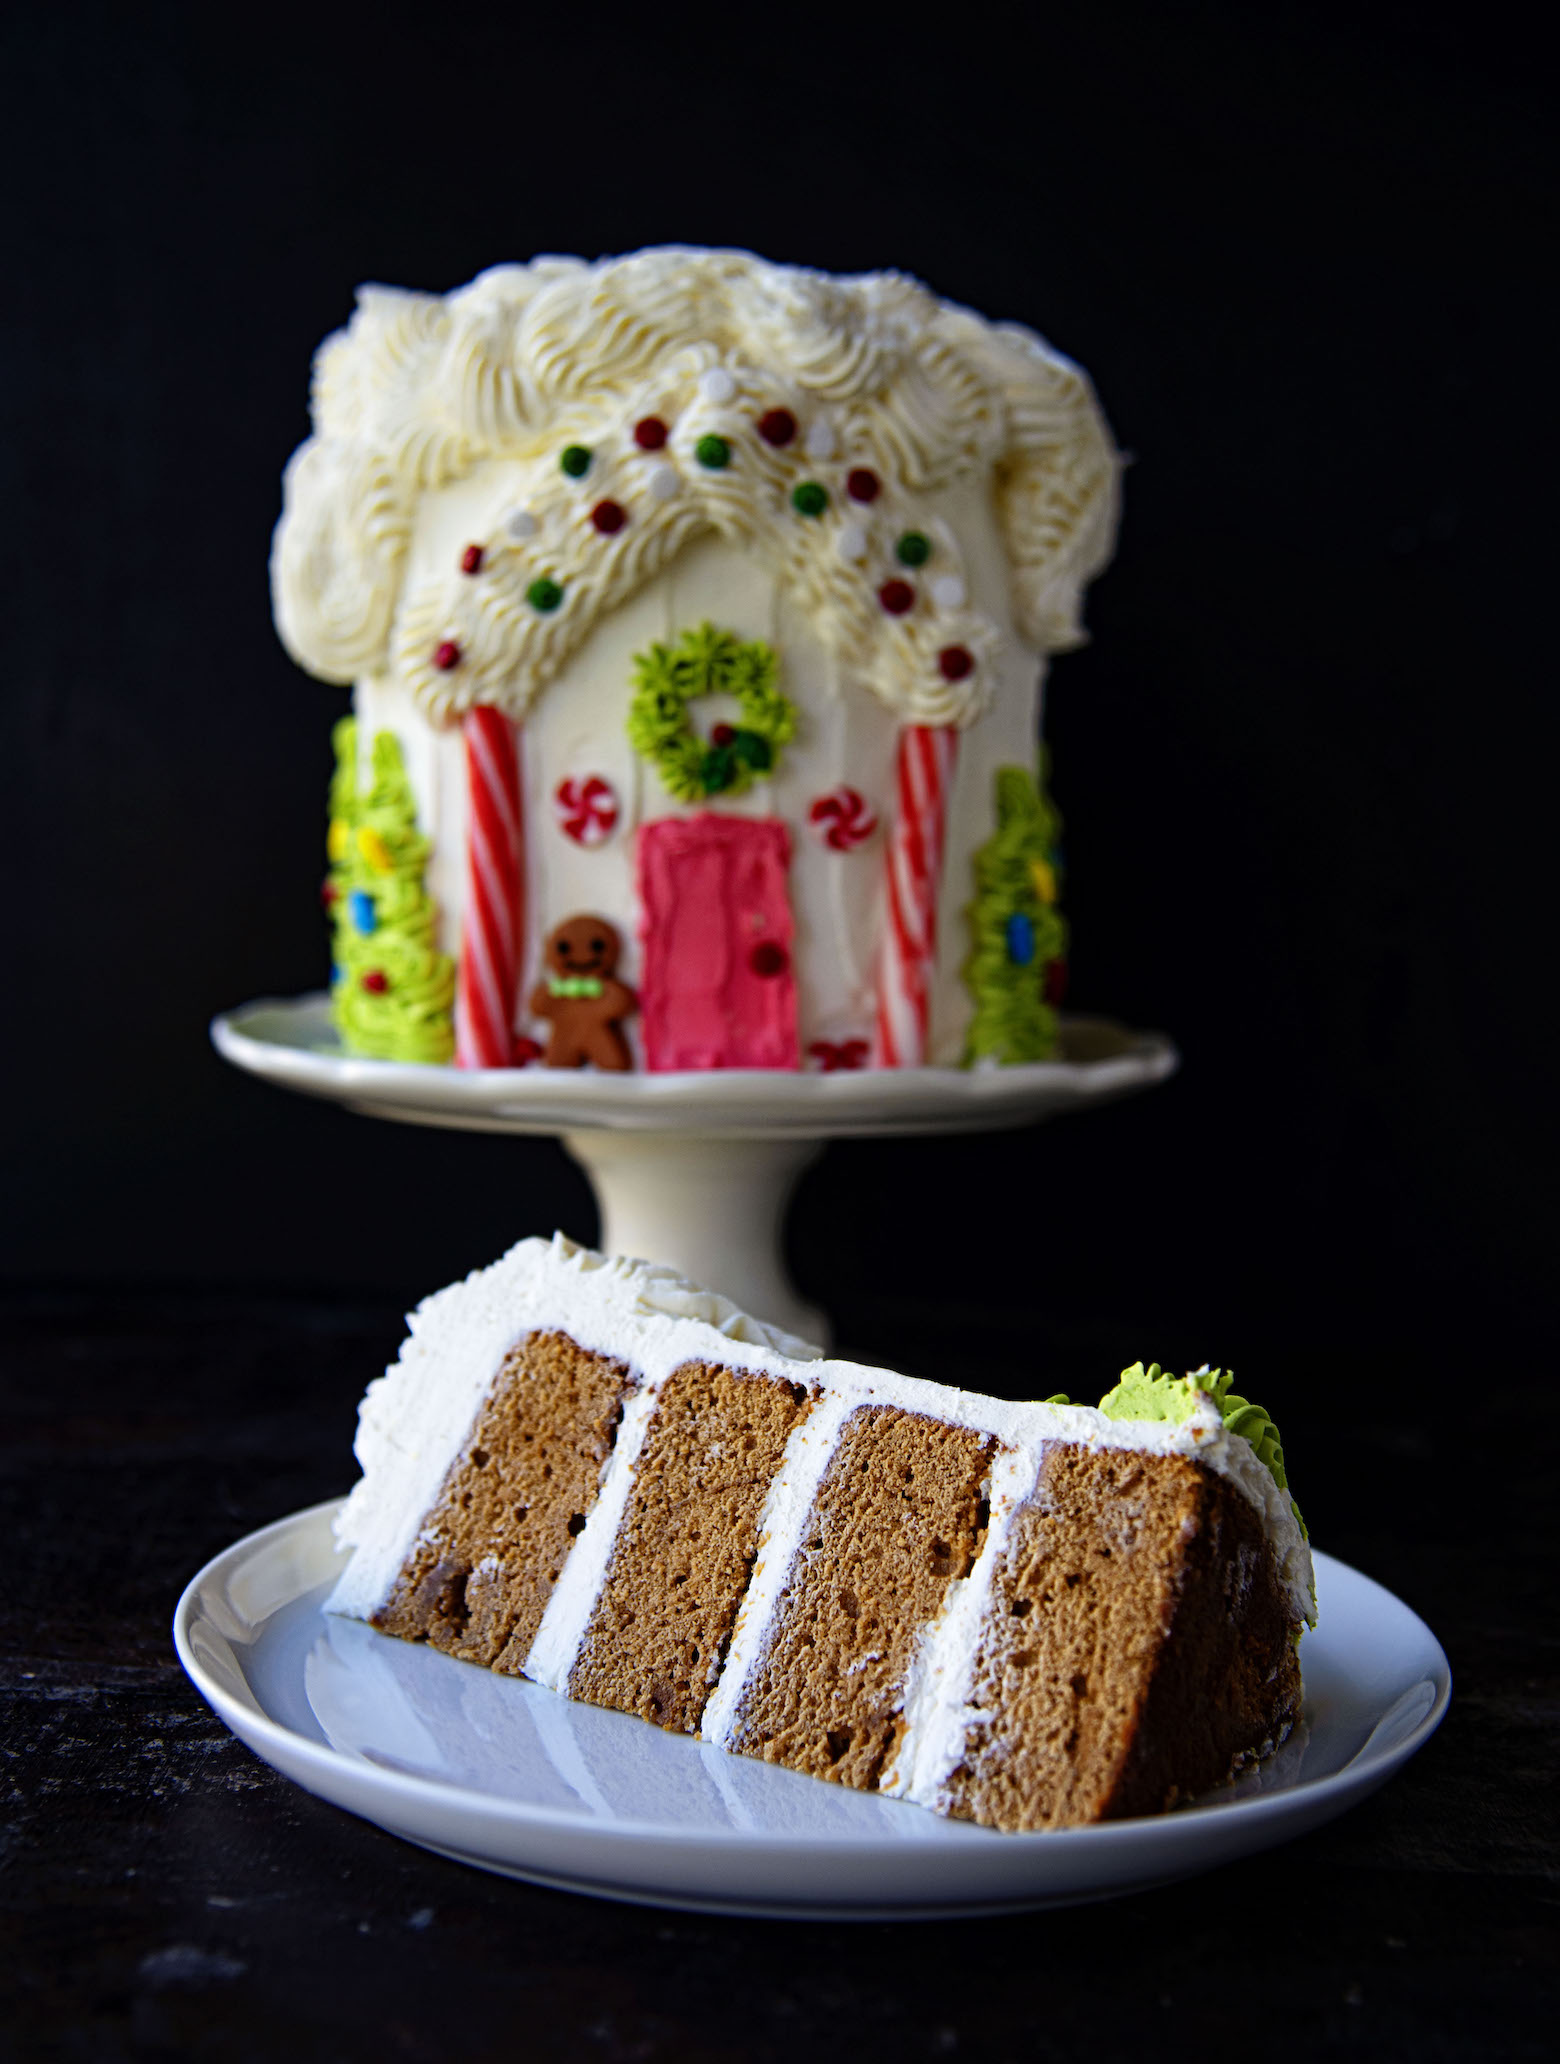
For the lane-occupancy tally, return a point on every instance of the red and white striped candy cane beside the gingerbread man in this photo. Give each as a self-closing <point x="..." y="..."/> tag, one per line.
<point x="496" y="886"/>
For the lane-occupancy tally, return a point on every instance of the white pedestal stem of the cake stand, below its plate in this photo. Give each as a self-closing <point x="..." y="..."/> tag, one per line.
<point x="709" y="1208"/>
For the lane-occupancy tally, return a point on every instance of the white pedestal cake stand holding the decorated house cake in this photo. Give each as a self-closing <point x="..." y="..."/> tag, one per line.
<point x="694" y="1169"/>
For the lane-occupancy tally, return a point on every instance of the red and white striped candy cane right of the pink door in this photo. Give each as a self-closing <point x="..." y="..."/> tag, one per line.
<point x="915" y="868"/>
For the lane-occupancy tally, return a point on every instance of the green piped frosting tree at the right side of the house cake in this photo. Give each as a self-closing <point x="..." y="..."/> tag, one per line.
<point x="1018" y="934"/>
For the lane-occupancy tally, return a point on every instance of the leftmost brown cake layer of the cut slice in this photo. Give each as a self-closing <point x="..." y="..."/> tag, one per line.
<point x="513" y="1504"/>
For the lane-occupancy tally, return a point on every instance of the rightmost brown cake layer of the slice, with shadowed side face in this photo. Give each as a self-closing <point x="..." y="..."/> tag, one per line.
<point x="1136" y="1652"/>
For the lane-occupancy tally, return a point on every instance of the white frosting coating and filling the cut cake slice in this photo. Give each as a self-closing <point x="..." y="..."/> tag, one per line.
<point x="418" y="1419"/>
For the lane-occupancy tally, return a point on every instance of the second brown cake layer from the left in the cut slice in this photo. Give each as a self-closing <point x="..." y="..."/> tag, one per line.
<point x="686" y="1545"/>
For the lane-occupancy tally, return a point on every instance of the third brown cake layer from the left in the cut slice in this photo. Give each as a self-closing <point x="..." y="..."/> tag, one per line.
<point x="899" y="1516"/>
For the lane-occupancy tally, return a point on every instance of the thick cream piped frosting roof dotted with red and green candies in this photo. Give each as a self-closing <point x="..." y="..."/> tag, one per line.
<point x="653" y="399"/>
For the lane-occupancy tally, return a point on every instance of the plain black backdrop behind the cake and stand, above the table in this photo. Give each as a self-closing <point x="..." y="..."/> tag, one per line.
<point x="1305" y="763"/>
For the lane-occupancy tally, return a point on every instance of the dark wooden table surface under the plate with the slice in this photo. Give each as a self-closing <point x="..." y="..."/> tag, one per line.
<point x="168" y="1896"/>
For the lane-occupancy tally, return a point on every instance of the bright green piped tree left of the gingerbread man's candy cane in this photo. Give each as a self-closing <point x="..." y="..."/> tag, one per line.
<point x="391" y="990"/>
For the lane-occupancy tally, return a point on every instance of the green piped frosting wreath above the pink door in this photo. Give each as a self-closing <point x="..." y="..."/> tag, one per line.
<point x="709" y="662"/>
